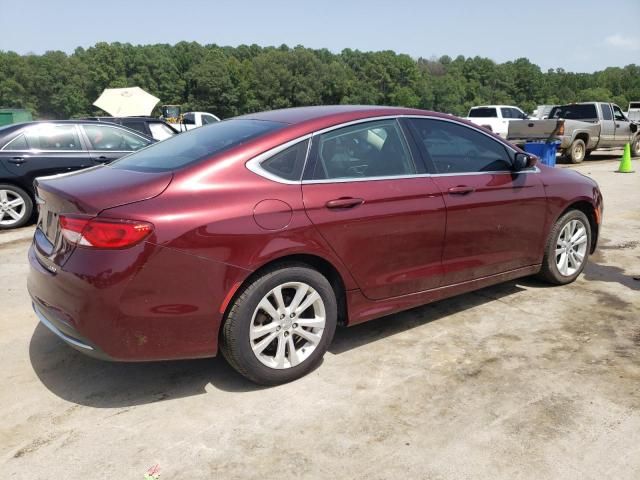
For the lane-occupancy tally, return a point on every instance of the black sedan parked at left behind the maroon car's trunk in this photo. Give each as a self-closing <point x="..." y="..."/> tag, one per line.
<point x="34" y="149"/>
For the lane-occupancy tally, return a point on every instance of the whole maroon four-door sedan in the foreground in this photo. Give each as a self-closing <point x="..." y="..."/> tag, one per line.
<point x="258" y="235"/>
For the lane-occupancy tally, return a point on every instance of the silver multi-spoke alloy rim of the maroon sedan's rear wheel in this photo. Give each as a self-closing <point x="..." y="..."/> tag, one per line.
<point x="287" y="325"/>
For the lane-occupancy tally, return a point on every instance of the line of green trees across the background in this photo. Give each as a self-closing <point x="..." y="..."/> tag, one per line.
<point x="229" y="81"/>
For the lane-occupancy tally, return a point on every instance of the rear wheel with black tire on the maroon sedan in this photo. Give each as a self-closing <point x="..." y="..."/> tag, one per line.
<point x="280" y="326"/>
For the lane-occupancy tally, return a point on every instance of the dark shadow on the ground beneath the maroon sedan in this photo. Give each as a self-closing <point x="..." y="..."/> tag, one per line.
<point x="77" y="378"/>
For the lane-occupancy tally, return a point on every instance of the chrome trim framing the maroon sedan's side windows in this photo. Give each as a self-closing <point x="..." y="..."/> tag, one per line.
<point x="254" y="163"/>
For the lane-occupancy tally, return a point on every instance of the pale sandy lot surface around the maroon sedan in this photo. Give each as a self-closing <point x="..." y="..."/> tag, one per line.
<point x="520" y="380"/>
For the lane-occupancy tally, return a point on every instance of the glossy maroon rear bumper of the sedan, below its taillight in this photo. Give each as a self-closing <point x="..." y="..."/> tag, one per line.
<point x="140" y="304"/>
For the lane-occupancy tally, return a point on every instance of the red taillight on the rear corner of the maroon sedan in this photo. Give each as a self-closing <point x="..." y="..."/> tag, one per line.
<point x="103" y="233"/>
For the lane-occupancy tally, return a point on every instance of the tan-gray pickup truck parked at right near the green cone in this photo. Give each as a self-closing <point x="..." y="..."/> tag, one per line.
<point x="580" y="128"/>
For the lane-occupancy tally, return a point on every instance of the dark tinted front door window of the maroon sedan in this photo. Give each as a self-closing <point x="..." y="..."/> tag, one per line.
<point x="455" y="148"/>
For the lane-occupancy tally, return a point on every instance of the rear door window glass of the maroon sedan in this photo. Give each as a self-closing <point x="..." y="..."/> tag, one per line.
<point x="372" y="149"/>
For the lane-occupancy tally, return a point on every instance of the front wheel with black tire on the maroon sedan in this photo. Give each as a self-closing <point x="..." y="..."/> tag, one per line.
<point x="567" y="248"/>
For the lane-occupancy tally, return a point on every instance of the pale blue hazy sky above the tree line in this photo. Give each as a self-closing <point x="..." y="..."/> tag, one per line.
<point x="576" y="35"/>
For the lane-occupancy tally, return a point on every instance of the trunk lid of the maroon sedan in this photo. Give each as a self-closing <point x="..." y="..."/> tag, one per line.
<point x="87" y="192"/>
